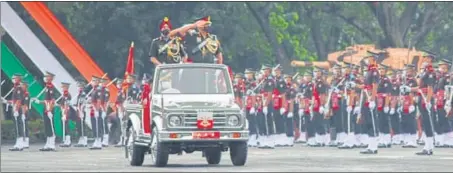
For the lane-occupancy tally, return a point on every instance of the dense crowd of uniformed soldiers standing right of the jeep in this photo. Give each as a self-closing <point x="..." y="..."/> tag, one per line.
<point x="370" y="106"/>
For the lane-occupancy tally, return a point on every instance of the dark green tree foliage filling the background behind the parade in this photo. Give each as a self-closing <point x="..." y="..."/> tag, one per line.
<point x="303" y="30"/>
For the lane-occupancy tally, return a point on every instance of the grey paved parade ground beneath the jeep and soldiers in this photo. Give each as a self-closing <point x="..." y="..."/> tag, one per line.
<point x="294" y="159"/>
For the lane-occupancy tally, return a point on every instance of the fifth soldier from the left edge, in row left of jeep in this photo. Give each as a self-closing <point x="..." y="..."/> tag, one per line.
<point x="103" y="102"/>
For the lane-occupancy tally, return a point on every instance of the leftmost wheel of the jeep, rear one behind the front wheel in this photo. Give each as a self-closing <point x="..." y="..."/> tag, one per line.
<point x="134" y="153"/>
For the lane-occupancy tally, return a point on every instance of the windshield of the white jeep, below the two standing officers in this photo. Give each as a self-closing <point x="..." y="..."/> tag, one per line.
<point x="193" y="80"/>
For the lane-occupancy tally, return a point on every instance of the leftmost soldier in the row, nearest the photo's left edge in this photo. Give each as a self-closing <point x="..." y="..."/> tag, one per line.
<point x="19" y="119"/>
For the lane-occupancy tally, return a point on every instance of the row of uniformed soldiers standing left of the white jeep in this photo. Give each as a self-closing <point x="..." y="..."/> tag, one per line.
<point x="92" y="104"/>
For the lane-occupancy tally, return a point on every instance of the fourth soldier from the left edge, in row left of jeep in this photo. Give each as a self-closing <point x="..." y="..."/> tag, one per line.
<point x="81" y="114"/>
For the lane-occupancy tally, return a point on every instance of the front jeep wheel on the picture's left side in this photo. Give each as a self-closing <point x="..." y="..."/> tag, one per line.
<point x="159" y="151"/>
